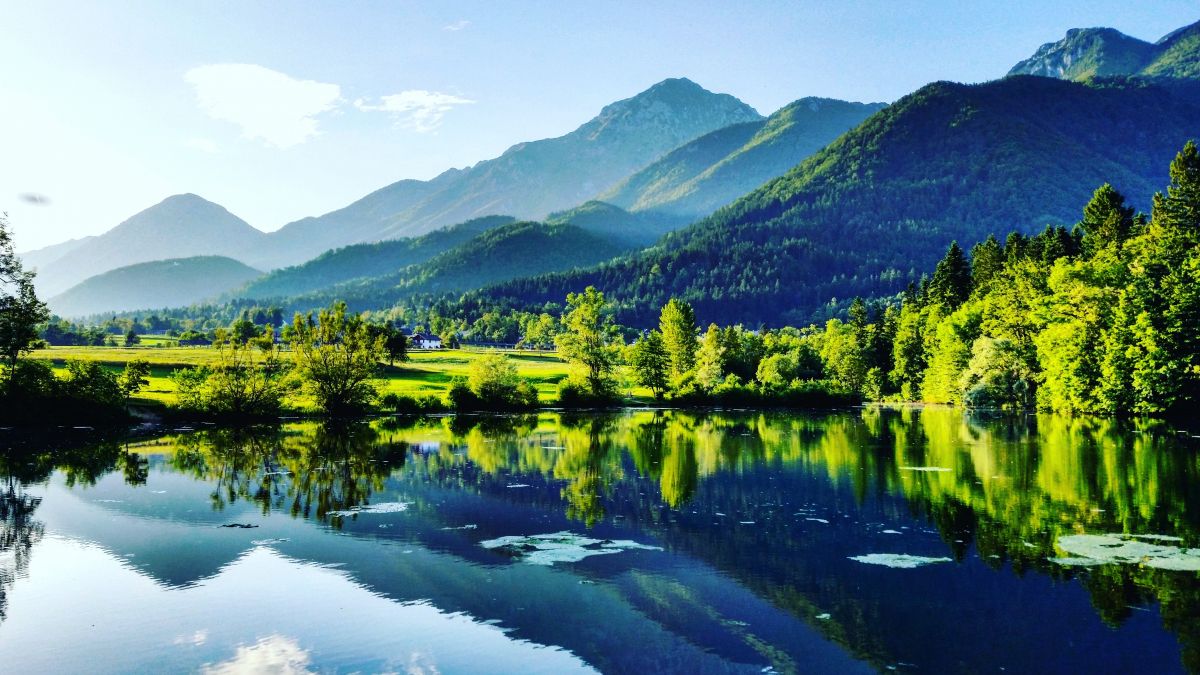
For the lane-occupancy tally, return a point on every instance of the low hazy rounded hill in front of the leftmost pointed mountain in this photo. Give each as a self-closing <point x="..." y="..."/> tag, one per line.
<point x="154" y="285"/>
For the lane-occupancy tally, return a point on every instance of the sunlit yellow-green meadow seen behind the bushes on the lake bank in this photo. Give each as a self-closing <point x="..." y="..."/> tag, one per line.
<point x="429" y="373"/>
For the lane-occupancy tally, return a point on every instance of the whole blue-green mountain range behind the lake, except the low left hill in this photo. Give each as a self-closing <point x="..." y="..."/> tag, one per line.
<point x="791" y="214"/>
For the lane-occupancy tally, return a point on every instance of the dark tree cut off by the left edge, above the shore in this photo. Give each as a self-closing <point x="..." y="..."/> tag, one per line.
<point x="21" y="312"/>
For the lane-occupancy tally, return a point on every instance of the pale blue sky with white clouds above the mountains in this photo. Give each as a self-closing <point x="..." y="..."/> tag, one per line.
<point x="280" y="111"/>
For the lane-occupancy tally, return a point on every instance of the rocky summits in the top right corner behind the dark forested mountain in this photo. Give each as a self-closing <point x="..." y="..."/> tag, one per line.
<point x="1099" y="52"/>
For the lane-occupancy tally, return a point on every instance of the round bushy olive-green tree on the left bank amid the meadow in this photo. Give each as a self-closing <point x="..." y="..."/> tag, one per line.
<point x="335" y="357"/>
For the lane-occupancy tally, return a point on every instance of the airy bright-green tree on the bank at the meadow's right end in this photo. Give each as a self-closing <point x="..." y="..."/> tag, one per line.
<point x="589" y="341"/>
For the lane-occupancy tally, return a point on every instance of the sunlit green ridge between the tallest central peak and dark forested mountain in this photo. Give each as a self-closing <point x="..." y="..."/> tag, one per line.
<point x="715" y="170"/>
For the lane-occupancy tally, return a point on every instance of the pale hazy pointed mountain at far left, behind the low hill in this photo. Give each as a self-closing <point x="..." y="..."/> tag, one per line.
<point x="178" y="228"/>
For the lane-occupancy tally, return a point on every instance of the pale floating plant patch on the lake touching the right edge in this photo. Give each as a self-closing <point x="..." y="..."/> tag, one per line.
<point x="1090" y="551"/>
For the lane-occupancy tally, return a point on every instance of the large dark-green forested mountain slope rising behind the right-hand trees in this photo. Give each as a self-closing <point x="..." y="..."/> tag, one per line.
<point x="877" y="208"/>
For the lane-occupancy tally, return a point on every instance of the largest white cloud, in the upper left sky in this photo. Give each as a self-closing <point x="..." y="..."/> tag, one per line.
<point x="267" y="105"/>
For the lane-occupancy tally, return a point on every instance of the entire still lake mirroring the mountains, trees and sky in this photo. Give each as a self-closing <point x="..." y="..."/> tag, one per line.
<point x="689" y="543"/>
